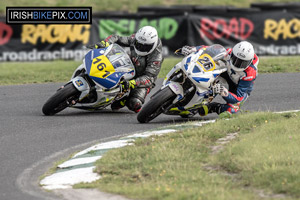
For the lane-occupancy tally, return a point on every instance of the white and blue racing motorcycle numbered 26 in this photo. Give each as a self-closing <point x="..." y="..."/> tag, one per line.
<point x="188" y="85"/>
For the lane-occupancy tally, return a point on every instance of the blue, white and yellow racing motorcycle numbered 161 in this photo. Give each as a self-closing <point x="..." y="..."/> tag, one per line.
<point x="95" y="84"/>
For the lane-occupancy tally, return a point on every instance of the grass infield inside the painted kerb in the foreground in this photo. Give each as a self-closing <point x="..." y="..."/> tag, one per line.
<point x="263" y="159"/>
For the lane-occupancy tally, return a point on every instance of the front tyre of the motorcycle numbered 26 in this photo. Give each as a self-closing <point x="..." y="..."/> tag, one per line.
<point x="156" y="105"/>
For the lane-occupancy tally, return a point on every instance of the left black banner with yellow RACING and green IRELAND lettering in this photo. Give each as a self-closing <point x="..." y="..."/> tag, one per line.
<point x="34" y="42"/>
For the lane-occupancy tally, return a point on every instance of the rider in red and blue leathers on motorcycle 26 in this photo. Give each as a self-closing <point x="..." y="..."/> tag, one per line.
<point x="240" y="76"/>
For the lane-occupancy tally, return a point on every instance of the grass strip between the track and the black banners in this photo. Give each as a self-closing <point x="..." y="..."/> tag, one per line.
<point x="61" y="71"/>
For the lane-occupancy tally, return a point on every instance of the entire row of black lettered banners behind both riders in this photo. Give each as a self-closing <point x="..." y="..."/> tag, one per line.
<point x="271" y="33"/>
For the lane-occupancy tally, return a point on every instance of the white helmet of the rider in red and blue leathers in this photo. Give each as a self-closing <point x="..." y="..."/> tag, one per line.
<point x="241" y="56"/>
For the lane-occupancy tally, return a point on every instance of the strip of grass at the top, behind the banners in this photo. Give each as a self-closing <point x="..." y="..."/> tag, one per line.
<point x="127" y="5"/>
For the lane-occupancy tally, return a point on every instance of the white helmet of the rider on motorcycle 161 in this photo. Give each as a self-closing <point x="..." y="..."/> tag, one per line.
<point x="146" y="40"/>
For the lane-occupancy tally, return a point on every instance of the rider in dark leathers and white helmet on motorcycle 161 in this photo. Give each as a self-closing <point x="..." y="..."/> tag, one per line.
<point x="146" y="55"/>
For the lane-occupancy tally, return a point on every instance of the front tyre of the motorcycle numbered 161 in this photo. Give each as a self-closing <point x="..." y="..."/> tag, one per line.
<point x="60" y="100"/>
